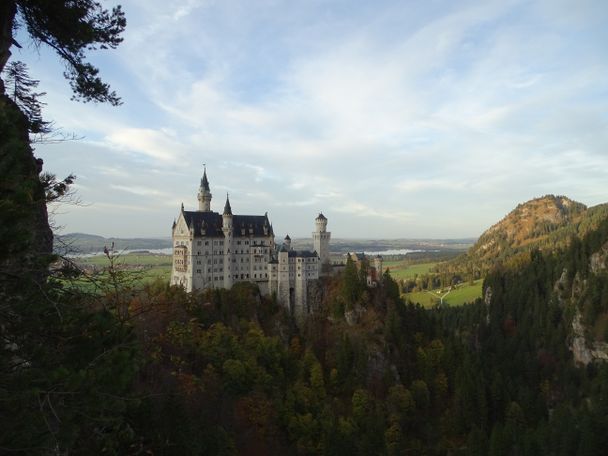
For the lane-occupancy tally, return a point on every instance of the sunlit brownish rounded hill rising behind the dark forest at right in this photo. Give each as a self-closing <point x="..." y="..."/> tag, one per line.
<point x="545" y="223"/>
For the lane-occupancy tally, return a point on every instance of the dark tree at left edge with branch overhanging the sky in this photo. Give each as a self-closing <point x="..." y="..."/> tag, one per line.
<point x="72" y="28"/>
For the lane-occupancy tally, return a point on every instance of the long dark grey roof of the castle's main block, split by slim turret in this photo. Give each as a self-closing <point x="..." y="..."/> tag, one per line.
<point x="211" y="222"/>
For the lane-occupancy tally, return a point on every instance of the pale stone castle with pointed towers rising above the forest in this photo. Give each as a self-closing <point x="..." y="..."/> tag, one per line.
<point x="213" y="250"/>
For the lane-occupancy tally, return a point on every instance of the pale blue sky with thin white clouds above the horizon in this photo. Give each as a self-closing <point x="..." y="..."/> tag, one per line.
<point x="396" y="119"/>
